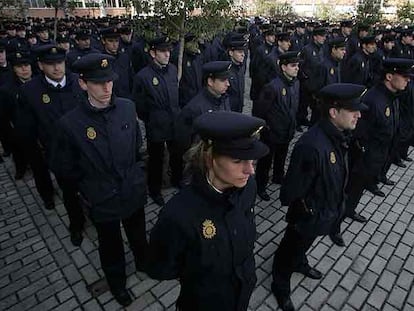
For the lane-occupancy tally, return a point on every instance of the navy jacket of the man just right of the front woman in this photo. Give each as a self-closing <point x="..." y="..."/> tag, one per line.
<point x="317" y="175"/>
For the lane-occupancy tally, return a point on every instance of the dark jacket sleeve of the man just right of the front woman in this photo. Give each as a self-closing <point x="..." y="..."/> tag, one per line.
<point x="302" y="171"/>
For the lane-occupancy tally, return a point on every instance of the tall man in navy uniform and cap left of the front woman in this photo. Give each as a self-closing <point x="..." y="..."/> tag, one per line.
<point x="99" y="150"/>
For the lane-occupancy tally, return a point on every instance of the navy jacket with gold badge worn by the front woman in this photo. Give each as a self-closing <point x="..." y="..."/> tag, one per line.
<point x="206" y="240"/>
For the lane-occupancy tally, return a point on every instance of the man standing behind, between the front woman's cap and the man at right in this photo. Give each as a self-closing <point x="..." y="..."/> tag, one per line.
<point x="277" y="105"/>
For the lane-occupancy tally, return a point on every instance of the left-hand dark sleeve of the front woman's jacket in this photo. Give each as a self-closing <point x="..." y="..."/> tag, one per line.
<point x="166" y="247"/>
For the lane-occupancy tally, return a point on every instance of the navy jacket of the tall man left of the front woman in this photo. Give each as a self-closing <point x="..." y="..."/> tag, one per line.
<point x="98" y="149"/>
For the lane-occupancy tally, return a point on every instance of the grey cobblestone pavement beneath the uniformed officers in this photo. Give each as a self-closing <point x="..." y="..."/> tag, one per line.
<point x="41" y="270"/>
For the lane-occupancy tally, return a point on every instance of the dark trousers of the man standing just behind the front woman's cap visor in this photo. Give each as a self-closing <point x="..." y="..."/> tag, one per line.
<point x="277" y="154"/>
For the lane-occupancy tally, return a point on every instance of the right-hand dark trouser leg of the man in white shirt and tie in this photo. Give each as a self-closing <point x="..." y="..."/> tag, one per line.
<point x="72" y="204"/>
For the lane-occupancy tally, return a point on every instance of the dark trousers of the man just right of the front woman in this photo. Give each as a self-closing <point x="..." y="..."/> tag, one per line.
<point x="290" y="255"/>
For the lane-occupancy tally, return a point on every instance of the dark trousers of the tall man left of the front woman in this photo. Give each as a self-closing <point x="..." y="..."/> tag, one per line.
<point x="111" y="247"/>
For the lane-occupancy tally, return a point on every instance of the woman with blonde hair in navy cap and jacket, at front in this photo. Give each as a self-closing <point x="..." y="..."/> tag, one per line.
<point x="205" y="235"/>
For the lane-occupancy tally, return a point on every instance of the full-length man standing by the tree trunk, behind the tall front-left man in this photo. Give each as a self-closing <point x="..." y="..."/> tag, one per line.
<point x="155" y="93"/>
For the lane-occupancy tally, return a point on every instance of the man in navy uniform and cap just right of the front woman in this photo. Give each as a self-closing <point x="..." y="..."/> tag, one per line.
<point x="318" y="159"/>
